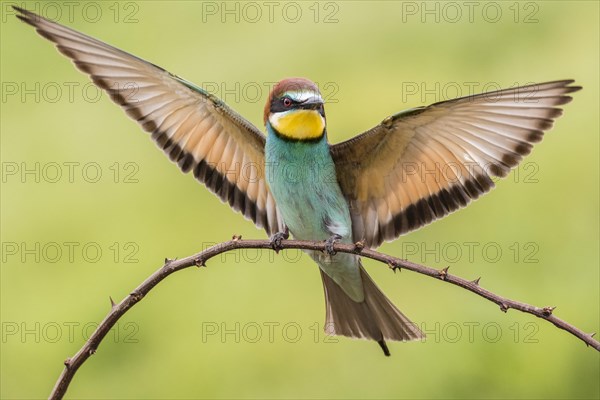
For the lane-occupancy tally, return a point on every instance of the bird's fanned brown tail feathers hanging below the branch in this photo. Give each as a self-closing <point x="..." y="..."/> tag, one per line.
<point x="375" y="318"/>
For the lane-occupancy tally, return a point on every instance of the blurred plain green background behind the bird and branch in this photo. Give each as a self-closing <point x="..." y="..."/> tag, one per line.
<point x="371" y="59"/>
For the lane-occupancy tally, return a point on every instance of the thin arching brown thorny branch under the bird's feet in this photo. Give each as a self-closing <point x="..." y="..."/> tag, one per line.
<point x="170" y="266"/>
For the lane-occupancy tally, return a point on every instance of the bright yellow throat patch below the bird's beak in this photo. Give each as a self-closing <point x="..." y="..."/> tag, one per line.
<point x="298" y="124"/>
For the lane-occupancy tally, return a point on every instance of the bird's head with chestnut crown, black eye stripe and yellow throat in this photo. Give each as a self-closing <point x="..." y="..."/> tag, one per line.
<point x="295" y="111"/>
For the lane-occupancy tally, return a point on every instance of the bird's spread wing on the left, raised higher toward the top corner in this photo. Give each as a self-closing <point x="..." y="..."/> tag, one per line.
<point x="195" y="129"/>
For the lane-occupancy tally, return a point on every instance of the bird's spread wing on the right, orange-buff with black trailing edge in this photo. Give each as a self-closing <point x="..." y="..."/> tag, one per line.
<point x="422" y="164"/>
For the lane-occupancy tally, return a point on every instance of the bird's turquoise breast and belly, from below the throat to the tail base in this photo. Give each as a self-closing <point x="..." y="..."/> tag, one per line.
<point x="302" y="178"/>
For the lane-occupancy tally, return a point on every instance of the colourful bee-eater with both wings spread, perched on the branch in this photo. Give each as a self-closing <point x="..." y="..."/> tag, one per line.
<point x="413" y="168"/>
